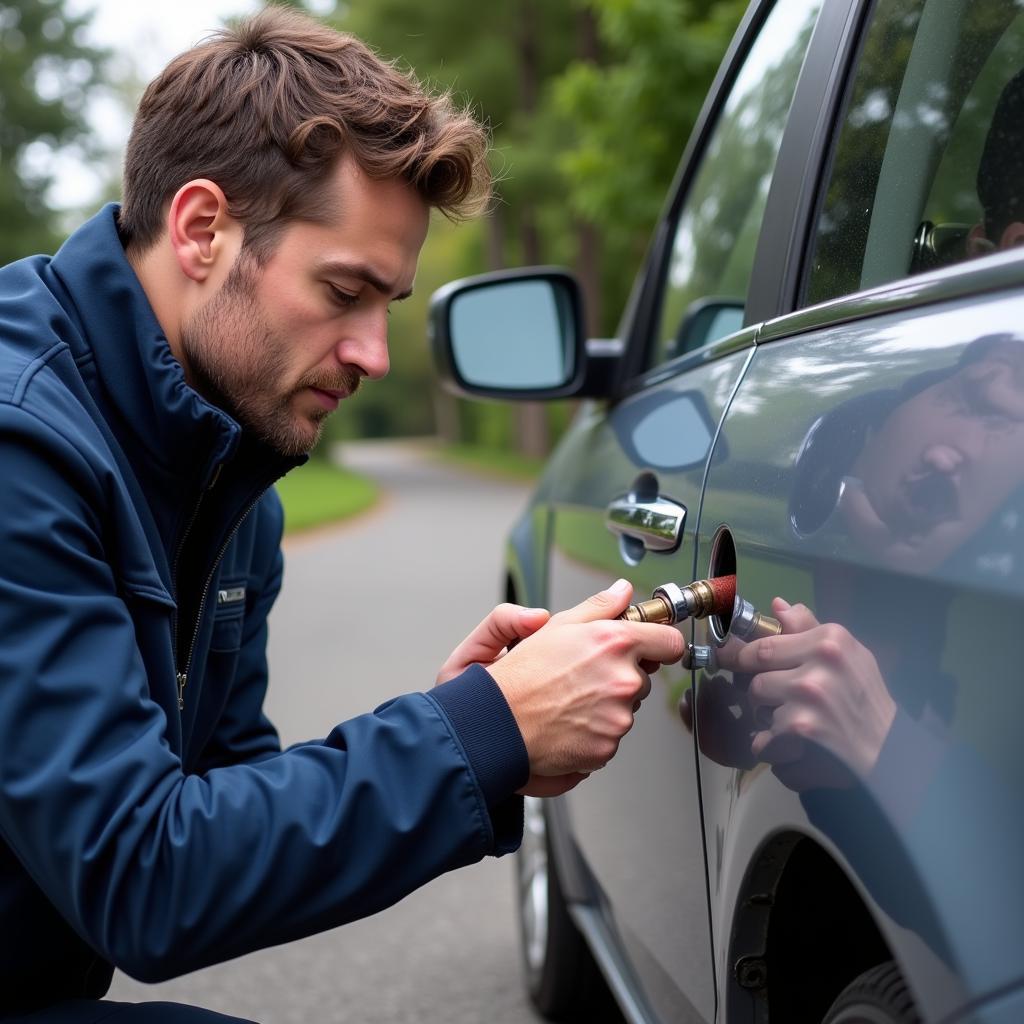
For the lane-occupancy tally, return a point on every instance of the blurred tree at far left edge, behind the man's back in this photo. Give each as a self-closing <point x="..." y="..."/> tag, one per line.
<point x="47" y="75"/>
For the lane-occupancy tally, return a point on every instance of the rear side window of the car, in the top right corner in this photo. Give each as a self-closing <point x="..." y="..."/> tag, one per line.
<point x="928" y="165"/>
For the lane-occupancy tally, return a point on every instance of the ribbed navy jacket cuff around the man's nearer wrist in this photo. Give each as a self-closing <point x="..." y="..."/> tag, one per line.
<point x="482" y="718"/>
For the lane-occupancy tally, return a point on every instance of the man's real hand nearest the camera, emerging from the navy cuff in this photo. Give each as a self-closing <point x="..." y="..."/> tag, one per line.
<point x="575" y="686"/>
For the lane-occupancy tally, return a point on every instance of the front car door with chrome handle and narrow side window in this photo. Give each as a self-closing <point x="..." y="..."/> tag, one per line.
<point x="637" y="466"/>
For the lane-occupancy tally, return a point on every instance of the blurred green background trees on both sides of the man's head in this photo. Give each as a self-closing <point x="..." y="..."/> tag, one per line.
<point x="590" y="104"/>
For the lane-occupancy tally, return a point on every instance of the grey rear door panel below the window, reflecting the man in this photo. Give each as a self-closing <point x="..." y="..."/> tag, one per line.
<point x="841" y="493"/>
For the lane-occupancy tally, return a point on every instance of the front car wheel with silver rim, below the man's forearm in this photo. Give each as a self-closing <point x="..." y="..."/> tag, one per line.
<point x="563" y="978"/>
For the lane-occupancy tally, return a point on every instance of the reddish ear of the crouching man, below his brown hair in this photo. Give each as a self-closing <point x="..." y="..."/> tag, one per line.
<point x="204" y="236"/>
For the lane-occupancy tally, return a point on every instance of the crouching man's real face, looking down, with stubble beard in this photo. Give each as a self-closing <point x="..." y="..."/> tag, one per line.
<point x="281" y="346"/>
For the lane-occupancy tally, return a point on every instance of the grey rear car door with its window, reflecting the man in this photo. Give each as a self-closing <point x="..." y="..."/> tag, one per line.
<point x="871" y="467"/>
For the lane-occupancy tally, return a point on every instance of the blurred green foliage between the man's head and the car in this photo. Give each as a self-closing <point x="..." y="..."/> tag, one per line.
<point x="590" y="104"/>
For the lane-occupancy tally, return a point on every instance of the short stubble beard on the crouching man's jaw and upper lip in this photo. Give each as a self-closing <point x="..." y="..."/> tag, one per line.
<point x="238" y="363"/>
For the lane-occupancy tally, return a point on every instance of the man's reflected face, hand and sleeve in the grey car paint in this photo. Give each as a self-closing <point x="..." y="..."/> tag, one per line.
<point x="854" y="711"/>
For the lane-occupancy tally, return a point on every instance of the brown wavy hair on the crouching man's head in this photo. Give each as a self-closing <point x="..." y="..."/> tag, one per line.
<point x="266" y="109"/>
